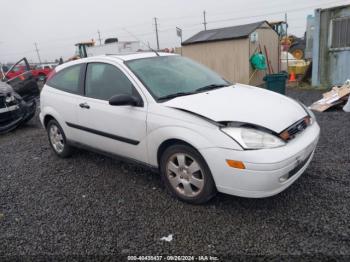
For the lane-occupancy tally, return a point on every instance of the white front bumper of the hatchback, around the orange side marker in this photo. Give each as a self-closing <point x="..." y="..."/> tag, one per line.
<point x="268" y="171"/>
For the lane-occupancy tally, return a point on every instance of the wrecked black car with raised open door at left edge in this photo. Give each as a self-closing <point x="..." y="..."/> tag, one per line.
<point x="17" y="97"/>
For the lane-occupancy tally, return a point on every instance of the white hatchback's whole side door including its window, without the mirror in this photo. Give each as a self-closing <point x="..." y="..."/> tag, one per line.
<point x="119" y="130"/>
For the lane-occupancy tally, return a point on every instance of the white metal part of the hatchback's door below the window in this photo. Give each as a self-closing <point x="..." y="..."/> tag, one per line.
<point x="117" y="120"/>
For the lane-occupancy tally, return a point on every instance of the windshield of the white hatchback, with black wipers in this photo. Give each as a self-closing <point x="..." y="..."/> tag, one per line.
<point x="167" y="77"/>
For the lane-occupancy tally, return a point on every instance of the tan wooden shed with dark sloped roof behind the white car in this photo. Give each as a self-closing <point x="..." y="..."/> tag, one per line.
<point x="228" y="50"/>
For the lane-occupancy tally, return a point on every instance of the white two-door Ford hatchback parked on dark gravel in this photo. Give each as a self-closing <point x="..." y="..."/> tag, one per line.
<point x="201" y="132"/>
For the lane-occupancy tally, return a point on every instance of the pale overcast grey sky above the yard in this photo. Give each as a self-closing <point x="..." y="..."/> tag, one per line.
<point x="56" y="25"/>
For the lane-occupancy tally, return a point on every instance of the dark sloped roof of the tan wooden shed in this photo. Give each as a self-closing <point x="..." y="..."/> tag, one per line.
<point x="226" y="33"/>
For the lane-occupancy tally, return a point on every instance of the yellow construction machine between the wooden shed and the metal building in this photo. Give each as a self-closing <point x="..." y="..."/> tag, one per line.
<point x="294" y="45"/>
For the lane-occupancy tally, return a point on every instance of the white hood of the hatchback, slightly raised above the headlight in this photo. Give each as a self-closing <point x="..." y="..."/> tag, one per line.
<point x="242" y="103"/>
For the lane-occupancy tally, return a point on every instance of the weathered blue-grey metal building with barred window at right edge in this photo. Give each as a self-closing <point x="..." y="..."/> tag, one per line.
<point x="331" y="46"/>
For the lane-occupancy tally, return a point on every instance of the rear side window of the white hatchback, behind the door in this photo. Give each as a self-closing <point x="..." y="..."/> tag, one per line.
<point x="67" y="79"/>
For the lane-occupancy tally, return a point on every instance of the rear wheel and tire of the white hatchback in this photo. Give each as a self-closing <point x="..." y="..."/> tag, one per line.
<point x="57" y="139"/>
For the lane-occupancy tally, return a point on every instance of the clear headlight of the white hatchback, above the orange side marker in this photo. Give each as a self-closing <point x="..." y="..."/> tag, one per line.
<point x="250" y="138"/>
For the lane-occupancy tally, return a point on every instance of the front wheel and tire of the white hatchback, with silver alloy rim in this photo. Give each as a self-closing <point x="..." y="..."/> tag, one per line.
<point x="186" y="174"/>
